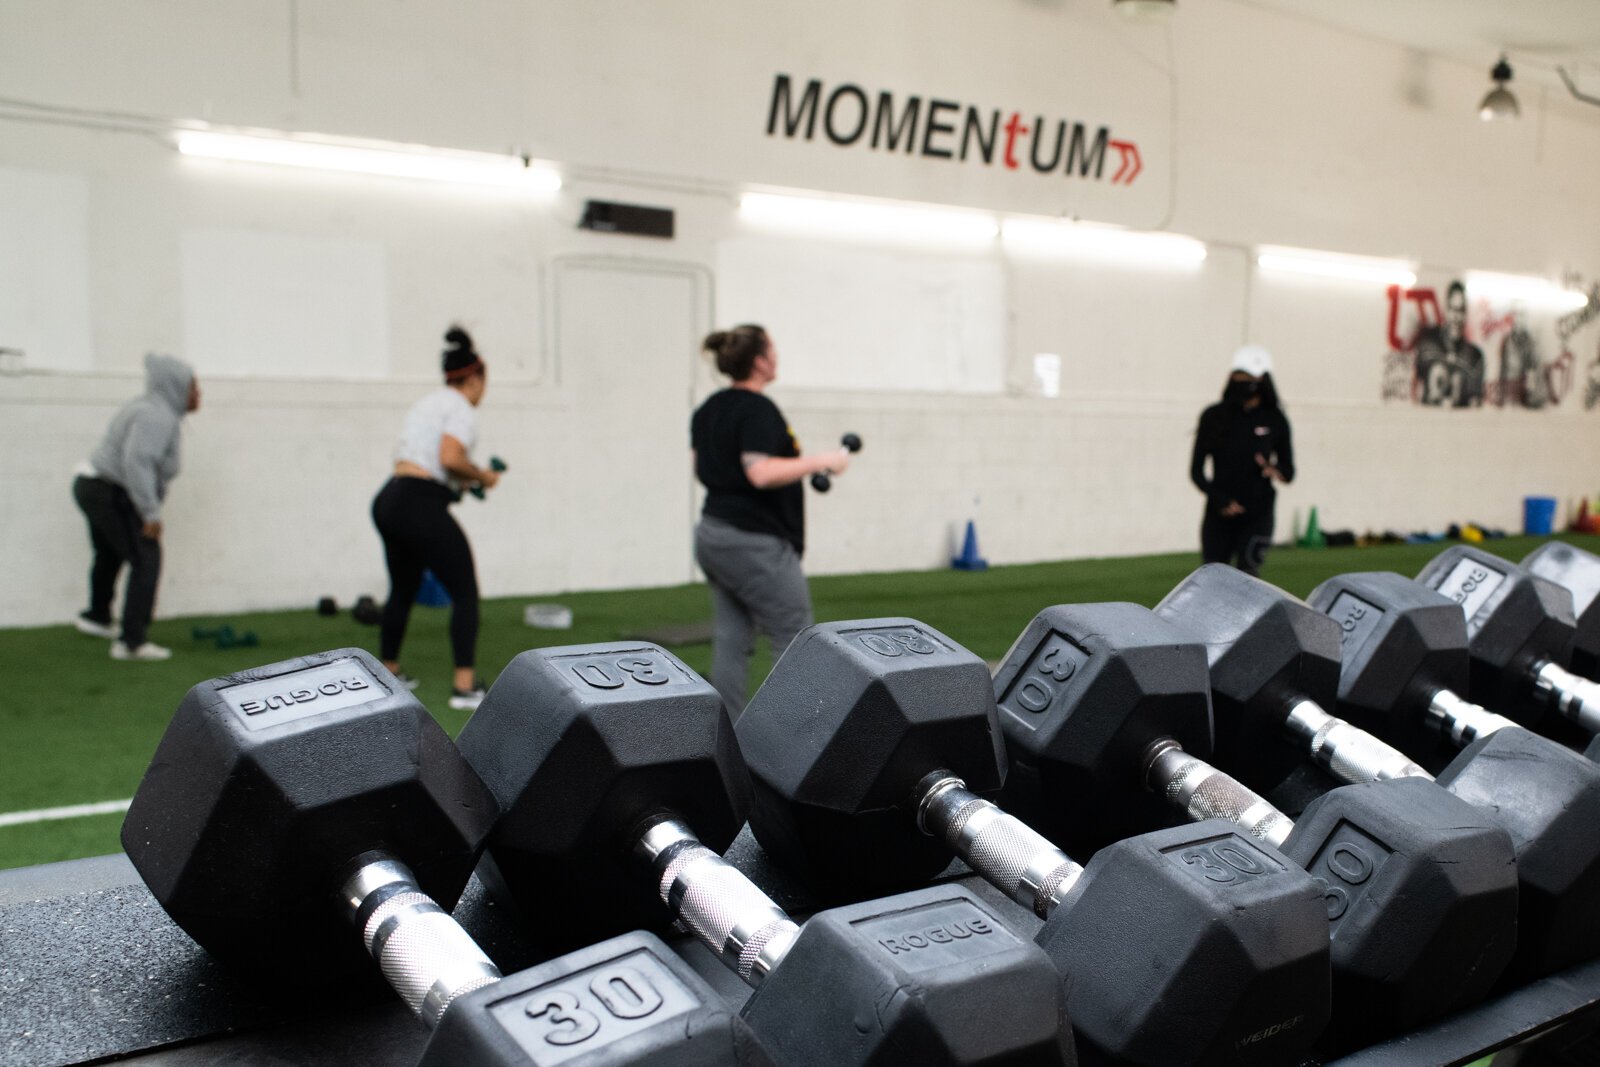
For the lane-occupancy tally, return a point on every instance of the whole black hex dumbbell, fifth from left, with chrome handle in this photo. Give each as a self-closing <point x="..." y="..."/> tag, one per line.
<point x="1284" y="698"/>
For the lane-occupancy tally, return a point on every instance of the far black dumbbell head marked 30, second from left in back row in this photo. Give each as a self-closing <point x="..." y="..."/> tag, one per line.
<point x="583" y="745"/>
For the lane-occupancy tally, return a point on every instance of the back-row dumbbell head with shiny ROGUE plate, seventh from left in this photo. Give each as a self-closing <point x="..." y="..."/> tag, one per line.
<point x="1514" y="621"/>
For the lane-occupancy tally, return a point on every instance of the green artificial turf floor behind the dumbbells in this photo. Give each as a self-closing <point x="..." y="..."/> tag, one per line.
<point x="81" y="727"/>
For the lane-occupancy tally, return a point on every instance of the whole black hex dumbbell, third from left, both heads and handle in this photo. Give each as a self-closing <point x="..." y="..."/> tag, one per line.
<point x="1188" y="946"/>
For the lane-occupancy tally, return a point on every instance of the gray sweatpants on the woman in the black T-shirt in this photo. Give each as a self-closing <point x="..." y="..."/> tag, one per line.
<point x="756" y="585"/>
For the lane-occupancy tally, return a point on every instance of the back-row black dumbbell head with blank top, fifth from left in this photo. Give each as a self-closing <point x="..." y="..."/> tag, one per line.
<point x="1266" y="650"/>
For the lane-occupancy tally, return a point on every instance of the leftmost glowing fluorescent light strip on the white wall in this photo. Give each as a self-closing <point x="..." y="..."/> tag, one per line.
<point x="388" y="161"/>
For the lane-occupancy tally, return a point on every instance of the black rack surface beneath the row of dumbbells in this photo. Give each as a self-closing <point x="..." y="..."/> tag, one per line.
<point x="94" y="970"/>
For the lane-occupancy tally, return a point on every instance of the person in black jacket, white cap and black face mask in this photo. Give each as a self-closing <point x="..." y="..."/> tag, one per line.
<point x="1247" y="439"/>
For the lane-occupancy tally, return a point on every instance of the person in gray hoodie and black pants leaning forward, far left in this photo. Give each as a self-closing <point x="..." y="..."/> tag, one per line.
<point x="121" y="494"/>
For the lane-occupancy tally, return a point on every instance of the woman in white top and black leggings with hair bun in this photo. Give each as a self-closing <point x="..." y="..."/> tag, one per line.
<point x="412" y="513"/>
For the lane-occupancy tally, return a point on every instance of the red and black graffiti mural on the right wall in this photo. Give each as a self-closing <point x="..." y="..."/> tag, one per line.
<point x="1457" y="354"/>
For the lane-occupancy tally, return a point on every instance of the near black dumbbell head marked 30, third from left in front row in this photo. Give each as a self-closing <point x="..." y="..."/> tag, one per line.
<point x="1194" y="946"/>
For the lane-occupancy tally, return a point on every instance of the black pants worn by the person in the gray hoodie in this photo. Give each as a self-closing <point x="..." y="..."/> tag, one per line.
<point x="116" y="533"/>
